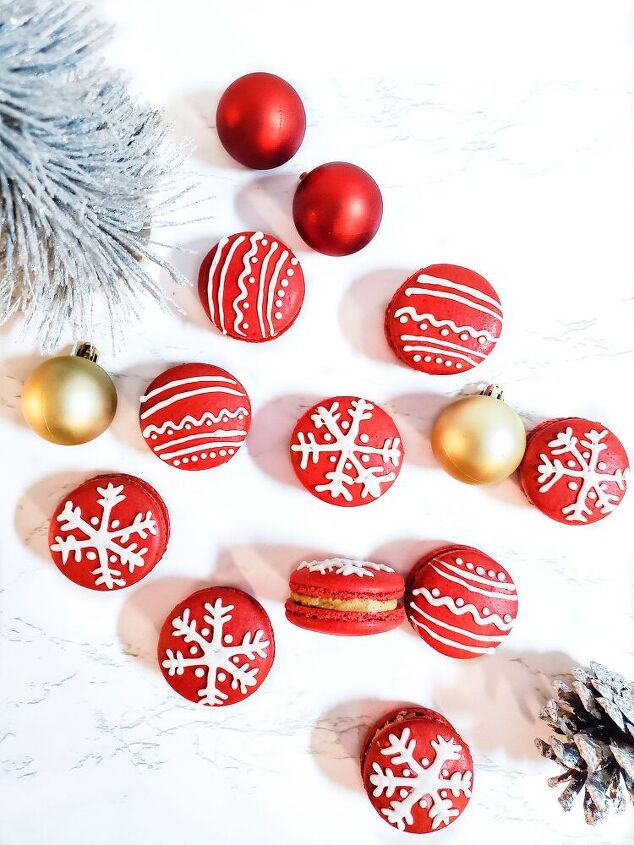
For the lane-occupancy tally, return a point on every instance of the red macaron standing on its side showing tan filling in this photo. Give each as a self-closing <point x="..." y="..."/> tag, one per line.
<point x="345" y="597"/>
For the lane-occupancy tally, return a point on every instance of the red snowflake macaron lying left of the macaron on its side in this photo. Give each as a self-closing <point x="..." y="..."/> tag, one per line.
<point x="216" y="647"/>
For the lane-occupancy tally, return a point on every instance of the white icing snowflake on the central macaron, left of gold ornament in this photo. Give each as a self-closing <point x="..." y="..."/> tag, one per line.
<point x="343" y="437"/>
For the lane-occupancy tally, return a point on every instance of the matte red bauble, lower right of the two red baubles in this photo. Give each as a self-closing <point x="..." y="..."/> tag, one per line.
<point x="337" y="208"/>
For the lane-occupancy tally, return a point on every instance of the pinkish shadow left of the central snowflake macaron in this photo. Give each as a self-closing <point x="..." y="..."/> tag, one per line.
<point x="269" y="438"/>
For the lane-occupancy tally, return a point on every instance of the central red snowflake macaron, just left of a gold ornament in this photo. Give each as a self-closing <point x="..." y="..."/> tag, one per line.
<point x="346" y="451"/>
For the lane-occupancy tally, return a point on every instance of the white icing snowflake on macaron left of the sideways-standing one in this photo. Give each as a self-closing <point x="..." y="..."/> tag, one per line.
<point x="214" y="657"/>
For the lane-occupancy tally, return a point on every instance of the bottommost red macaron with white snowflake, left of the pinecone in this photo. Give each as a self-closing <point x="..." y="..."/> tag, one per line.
<point x="417" y="770"/>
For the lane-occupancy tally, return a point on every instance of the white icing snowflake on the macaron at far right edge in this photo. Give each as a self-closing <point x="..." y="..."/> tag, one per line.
<point x="584" y="466"/>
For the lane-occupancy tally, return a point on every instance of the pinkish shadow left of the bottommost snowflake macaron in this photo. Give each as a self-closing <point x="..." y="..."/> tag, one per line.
<point x="337" y="738"/>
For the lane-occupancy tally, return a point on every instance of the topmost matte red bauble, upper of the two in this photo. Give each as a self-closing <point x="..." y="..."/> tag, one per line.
<point x="261" y="120"/>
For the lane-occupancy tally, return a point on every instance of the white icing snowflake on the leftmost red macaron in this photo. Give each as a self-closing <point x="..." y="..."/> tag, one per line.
<point x="104" y="539"/>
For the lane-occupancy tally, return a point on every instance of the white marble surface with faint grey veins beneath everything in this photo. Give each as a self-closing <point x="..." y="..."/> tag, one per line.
<point x="501" y="135"/>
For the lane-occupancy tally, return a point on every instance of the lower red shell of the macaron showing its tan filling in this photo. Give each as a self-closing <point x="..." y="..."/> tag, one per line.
<point x="342" y="623"/>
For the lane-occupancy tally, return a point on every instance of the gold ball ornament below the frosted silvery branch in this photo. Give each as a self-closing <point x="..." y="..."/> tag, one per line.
<point x="69" y="400"/>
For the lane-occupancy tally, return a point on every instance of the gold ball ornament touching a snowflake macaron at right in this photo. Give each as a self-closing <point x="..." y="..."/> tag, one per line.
<point x="479" y="439"/>
